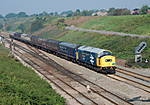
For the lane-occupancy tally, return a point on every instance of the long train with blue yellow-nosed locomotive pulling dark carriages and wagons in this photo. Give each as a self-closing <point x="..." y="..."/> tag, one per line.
<point x="100" y="60"/>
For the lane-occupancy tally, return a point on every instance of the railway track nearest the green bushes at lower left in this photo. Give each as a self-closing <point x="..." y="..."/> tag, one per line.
<point x="59" y="82"/>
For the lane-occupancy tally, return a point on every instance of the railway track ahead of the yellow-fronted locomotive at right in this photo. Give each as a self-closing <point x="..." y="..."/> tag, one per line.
<point x="137" y="80"/>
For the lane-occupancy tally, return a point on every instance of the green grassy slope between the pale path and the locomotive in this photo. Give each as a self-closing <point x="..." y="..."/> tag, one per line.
<point x="122" y="47"/>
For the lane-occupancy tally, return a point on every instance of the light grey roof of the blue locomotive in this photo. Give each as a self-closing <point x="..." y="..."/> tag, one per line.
<point x="91" y="49"/>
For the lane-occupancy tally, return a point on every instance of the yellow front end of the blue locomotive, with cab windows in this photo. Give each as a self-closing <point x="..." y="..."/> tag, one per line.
<point x="106" y="62"/>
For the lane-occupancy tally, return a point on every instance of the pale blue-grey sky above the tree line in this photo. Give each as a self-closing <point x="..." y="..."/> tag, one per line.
<point x="37" y="6"/>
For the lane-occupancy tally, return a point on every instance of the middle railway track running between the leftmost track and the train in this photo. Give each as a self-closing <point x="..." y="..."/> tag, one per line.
<point x="113" y="98"/>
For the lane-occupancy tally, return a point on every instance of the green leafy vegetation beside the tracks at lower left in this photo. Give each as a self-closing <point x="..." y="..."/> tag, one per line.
<point x="20" y="85"/>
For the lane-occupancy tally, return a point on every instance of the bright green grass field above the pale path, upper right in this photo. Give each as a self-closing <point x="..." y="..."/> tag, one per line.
<point x="137" y="24"/>
